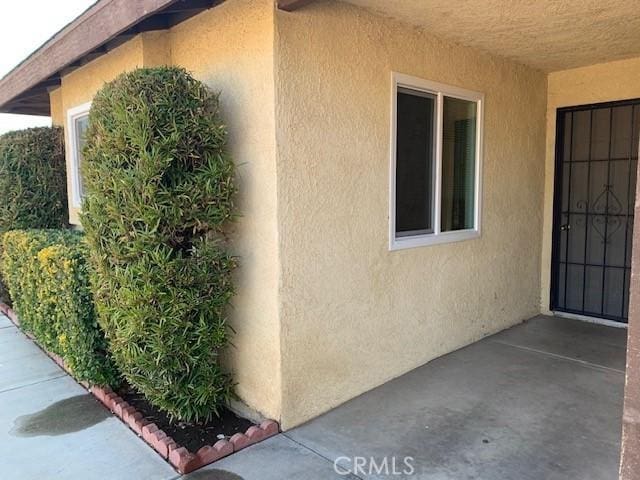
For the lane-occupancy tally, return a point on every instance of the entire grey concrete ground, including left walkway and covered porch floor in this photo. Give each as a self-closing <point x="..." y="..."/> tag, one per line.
<point x="542" y="400"/>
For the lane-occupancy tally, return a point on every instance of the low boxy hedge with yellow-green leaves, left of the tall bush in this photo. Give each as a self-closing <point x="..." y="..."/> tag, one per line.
<point x="47" y="276"/>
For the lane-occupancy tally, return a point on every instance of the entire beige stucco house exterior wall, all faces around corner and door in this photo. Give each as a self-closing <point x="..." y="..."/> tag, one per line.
<point x="324" y="310"/>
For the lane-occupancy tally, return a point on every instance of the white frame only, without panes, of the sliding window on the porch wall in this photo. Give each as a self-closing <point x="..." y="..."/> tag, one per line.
<point x="399" y="80"/>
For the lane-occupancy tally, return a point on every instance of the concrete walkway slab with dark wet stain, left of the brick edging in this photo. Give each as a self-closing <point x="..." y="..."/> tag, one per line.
<point x="55" y="429"/>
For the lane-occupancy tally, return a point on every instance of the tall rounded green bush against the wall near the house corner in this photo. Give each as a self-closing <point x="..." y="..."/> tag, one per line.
<point x="159" y="188"/>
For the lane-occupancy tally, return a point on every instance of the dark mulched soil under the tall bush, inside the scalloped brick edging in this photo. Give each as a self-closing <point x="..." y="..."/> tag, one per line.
<point x="190" y="436"/>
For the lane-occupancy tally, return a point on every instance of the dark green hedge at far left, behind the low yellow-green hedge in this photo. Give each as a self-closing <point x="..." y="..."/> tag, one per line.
<point x="33" y="183"/>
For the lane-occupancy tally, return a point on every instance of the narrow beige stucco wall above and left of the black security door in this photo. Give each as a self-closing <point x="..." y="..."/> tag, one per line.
<point x="593" y="84"/>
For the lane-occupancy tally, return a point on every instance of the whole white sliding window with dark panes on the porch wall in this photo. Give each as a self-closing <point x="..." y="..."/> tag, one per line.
<point x="436" y="163"/>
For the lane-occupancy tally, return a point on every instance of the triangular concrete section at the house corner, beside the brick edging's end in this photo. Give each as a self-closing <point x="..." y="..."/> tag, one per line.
<point x="274" y="459"/>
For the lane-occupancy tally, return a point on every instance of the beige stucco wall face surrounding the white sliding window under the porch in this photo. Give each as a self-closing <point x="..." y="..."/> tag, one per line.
<point x="354" y="314"/>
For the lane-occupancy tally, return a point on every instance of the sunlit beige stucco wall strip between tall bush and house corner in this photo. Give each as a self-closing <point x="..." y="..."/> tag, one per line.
<point x="230" y="48"/>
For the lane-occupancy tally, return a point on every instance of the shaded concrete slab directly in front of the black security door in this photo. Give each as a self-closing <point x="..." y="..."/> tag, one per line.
<point x="583" y="341"/>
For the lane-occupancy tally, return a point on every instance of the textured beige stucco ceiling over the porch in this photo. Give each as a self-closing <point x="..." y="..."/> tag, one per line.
<point x="548" y="35"/>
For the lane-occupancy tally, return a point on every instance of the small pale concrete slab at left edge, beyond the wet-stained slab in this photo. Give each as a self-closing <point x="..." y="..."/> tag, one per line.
<point x="23" y="363"/>
